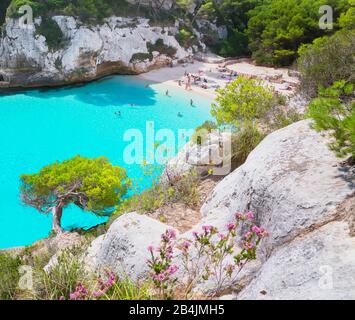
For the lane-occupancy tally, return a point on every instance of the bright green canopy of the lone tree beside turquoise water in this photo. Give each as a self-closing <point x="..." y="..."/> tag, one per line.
<point x="92" y="184"/>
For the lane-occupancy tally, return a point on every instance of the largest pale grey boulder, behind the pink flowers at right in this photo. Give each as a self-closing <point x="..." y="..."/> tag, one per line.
<point x="291" y="181"/>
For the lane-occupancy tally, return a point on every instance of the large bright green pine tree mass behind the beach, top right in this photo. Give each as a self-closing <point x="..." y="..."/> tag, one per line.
<point x="277" y="28"/>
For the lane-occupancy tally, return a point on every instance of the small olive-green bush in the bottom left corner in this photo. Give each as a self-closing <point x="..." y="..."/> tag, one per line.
<point x="9" y="276"/>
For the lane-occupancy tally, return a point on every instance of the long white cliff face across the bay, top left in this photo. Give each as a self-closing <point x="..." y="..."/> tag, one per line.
<point x="120" y="45"/>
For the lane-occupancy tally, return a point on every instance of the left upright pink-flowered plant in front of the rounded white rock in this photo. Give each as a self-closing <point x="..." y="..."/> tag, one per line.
<point x="161" y="266"/>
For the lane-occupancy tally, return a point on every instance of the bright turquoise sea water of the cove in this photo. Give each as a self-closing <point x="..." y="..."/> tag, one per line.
<point x="39" y="127"/>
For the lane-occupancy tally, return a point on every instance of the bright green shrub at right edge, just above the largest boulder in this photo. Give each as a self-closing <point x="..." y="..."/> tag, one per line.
<point x="334" y="111"/>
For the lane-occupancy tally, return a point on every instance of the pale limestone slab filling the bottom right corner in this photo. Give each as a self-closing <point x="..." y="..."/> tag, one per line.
<point x="317" y="266"/>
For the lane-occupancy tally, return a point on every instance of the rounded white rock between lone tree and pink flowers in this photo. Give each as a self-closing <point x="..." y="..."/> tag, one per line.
<point x="123" y="249"/>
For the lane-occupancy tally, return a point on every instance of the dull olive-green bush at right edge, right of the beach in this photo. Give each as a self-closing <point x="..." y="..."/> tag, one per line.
<point x="326" y="61"/>
